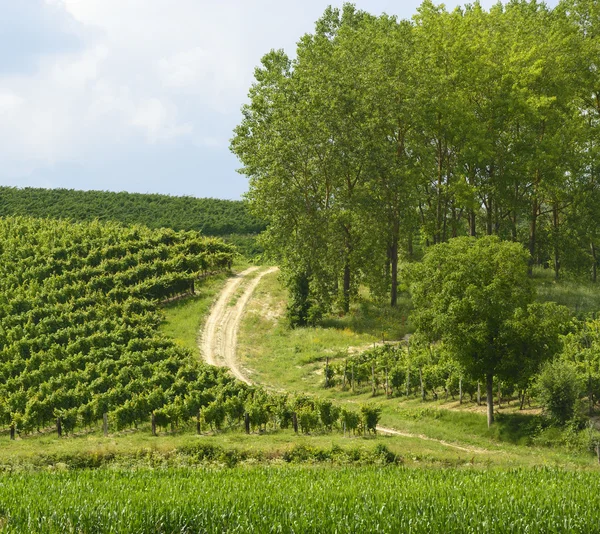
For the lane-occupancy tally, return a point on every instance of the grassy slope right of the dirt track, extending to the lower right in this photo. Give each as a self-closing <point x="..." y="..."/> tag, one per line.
<point x="294" y="360"/>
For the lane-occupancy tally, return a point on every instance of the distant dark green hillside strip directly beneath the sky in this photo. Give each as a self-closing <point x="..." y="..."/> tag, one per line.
<point x="211" y="216"/>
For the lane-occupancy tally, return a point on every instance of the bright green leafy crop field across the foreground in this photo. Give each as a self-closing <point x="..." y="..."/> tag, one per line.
<point x="291" y="499"/>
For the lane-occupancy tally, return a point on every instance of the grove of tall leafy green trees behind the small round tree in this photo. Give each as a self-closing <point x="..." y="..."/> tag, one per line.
<point x="384" y="136"/>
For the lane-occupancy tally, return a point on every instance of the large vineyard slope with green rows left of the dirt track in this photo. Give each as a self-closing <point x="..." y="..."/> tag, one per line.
<point x="79" y="316"/>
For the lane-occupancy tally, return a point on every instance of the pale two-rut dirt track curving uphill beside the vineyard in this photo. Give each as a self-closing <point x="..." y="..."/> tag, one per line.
<point x="219" y="336"/>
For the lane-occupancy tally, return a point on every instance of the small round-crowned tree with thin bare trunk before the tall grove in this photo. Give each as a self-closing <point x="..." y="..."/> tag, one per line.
<point x="466" y="292"/>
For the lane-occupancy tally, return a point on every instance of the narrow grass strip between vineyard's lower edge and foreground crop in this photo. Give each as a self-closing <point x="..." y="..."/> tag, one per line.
<point x="138" y="448"/>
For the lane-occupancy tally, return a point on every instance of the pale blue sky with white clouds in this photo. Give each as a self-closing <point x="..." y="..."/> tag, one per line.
<point x="139" y="95"/>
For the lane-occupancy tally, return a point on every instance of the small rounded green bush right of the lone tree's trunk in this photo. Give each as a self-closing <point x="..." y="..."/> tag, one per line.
<point x="559" y="388"/>
